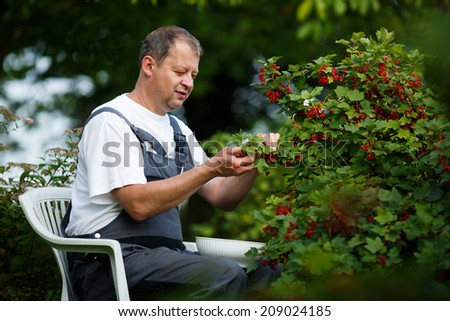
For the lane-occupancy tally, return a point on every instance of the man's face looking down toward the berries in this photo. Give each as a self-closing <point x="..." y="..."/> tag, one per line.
<point x="173" y="79"/>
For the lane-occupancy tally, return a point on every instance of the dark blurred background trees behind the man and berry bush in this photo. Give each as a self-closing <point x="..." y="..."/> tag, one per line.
<point x="95" y="44"/>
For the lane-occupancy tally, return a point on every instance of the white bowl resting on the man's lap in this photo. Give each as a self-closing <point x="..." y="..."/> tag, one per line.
<point x="226" y="248"/>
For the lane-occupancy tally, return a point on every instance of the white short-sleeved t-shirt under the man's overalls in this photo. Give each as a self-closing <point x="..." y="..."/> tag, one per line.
<point x="110" y="157"/>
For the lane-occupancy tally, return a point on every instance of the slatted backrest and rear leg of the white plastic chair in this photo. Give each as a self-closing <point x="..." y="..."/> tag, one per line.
<point x="44" y="209"/>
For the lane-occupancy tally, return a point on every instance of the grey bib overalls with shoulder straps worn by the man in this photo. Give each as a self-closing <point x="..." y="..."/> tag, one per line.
<point x="156" y="262"/>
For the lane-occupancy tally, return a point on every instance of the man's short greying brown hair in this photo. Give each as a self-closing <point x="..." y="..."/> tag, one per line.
<point x="158" y="42"/>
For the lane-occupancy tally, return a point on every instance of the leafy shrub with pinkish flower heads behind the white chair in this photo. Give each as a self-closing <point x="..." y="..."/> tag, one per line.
<point x="28" y="268"/>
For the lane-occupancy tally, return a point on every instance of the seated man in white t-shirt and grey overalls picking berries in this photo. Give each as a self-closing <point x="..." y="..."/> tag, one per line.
<point x="136" y="165"/>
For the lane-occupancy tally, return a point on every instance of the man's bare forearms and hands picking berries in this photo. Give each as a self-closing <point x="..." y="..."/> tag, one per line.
<point x="145" y="200"/>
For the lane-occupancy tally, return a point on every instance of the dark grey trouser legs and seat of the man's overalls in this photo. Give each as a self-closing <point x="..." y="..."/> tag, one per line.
<point x="165" y="274"/>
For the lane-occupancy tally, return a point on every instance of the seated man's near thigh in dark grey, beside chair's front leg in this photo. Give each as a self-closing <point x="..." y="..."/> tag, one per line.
<point x="162" y="273"/>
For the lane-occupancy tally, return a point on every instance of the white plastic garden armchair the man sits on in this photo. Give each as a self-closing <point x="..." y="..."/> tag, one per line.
<point x="44" y="207"/>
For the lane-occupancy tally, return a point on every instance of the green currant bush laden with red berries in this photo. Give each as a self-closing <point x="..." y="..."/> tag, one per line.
<point x="368" y="158"/>
